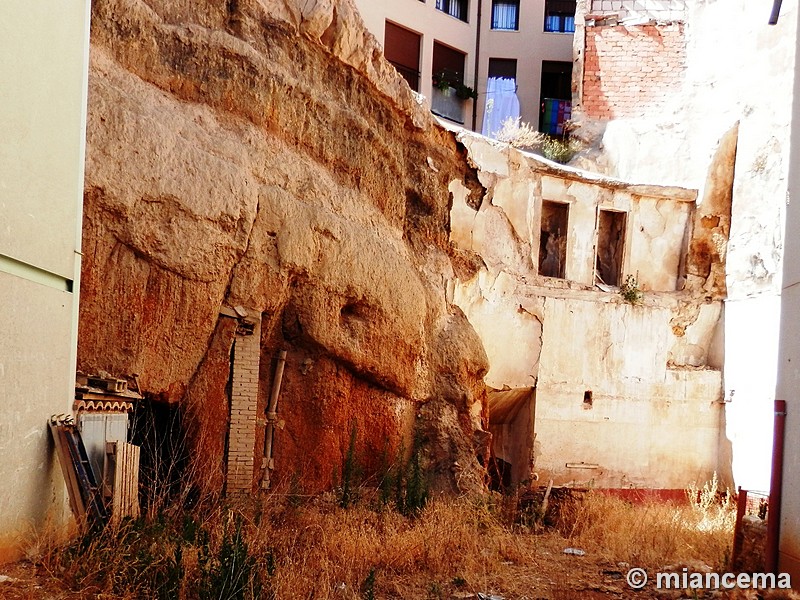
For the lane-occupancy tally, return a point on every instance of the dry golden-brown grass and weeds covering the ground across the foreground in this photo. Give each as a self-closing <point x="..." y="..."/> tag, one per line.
<point x="284" y="546"/>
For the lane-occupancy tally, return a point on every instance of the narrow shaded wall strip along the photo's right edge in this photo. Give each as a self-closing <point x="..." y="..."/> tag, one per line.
<point x="789" y="354"/>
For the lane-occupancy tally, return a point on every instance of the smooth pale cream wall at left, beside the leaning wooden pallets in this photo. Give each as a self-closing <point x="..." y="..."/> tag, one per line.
<point x="42" y="117"/>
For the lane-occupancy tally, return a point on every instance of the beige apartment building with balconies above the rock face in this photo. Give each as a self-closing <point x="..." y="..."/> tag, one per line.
<point x="479" y="61"/>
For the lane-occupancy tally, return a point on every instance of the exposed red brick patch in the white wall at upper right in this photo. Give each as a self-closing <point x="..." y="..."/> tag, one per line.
<point x="632" y="71"/>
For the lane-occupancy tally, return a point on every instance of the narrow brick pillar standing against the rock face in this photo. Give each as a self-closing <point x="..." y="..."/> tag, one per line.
<point x="244" y="402"/>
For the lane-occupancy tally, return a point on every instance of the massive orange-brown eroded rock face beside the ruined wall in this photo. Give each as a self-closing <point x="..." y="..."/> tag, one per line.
<point x="262" y="154"/>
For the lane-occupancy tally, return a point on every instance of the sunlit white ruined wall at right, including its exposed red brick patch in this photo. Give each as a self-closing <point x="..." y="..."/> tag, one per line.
<point x="703" y="71"/>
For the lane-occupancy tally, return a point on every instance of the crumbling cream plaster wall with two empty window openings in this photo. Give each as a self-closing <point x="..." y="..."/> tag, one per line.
<point x="652" y="369"/>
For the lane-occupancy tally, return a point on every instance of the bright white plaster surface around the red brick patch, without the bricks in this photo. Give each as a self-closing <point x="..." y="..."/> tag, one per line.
<point x="737" y="75"/>
